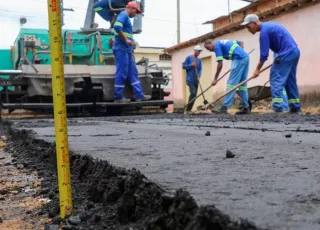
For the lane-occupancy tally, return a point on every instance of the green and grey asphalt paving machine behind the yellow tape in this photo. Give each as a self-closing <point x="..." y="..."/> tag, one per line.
<point x="89" y="67"/>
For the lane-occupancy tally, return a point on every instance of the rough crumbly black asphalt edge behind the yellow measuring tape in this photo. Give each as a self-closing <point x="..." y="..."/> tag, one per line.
<point x="106" y="197"/>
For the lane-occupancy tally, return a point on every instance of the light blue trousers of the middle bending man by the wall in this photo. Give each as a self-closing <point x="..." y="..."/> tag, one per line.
<point x="239" y="73"/>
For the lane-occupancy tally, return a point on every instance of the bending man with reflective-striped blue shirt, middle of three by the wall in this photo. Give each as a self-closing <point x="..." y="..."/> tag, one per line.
<point x="231" y="50"/>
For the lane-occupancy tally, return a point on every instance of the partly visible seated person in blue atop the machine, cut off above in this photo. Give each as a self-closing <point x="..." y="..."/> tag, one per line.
<point x="102" y="7"/>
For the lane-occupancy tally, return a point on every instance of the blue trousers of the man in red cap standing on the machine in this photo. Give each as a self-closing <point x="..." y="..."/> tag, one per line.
<point x="126" y="70"/>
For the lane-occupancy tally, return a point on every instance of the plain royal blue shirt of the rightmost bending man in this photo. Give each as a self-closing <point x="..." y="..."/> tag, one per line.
<point x="275" y="37"/>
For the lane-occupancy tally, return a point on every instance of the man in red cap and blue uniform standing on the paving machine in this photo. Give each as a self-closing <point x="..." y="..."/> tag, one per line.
<point x="123" y="51"/>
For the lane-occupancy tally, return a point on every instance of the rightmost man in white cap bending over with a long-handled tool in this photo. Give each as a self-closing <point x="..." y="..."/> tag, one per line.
<point x="284" y="69"/>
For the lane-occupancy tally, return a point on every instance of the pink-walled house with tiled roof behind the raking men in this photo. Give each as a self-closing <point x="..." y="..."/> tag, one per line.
<point x="300" y="17"/>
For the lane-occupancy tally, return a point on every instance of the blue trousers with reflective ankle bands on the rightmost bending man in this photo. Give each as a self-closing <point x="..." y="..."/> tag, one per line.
<point x="283" y="75"/>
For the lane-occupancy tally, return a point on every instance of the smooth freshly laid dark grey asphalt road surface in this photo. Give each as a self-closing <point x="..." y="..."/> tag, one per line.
<point x="273" y="180"/>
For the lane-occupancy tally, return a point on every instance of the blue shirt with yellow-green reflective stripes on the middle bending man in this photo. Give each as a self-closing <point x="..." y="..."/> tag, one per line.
<point x="229" y="50"/>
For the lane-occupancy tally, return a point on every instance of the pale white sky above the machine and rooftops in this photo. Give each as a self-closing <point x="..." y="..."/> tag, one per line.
<point x="157" y="31"/>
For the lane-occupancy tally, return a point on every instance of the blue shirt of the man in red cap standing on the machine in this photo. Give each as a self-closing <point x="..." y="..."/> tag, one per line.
<point x="123" y="24"/>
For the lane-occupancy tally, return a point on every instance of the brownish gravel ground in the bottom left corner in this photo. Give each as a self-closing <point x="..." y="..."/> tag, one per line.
<point x="20" y="194"/>
